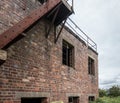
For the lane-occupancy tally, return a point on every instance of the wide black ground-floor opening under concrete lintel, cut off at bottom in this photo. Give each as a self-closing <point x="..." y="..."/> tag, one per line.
<point x="34" y="100"/>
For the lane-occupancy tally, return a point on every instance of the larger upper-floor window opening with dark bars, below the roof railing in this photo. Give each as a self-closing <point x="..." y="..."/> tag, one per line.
<point x="67" y="54"/>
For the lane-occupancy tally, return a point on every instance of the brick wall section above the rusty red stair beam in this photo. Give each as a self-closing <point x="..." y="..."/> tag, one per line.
<point x="12" y="11"/>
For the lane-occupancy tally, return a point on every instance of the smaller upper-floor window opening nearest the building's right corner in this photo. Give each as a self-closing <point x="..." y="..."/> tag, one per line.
<point x="91" y="67"/>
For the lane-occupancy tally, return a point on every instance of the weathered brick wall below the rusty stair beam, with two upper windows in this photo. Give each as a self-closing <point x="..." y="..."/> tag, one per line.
<point x="34" y="68"/>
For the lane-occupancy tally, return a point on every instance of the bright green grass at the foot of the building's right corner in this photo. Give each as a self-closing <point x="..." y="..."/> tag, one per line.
<point x="108" y="100"/>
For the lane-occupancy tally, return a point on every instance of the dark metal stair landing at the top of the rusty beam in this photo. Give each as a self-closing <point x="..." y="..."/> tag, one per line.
<point x="60" y="12"/>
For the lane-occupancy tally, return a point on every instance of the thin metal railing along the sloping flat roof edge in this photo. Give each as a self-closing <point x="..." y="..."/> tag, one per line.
<point x="82" y="35"/>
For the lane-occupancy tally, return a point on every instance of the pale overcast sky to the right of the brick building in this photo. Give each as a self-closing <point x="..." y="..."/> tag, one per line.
<point x="100" y="20"/>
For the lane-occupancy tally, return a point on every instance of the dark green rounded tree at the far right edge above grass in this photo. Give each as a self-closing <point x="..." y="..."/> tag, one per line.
<point x="114" y="91"/>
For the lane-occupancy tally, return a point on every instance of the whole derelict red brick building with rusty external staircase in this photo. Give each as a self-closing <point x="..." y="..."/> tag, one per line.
<point x="42" y="61"/>
